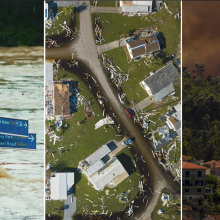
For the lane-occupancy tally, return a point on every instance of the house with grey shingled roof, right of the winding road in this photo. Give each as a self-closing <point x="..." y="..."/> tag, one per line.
<point x="160" y="84"/>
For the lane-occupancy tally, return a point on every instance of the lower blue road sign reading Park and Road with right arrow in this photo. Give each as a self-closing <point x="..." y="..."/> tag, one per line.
<point x="11" y="141"/>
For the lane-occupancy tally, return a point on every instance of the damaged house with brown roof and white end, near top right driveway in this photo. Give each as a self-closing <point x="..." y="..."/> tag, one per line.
<point x="142" y="46"/>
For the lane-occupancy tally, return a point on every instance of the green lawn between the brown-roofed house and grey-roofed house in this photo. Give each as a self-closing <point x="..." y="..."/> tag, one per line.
<point x="137" y="71"/>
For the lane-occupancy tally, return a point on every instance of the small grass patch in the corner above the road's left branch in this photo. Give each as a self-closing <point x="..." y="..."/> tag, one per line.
<point x="56" y="25"/>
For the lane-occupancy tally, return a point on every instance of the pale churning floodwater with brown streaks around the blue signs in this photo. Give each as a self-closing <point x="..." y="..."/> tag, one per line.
<point x="22" y="97"/>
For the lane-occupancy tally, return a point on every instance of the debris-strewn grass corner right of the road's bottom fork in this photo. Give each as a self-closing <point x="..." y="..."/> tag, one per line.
<point x="168" y="211"/>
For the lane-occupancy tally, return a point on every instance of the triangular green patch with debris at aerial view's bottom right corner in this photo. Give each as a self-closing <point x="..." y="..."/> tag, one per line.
<point x="173" y="209"/>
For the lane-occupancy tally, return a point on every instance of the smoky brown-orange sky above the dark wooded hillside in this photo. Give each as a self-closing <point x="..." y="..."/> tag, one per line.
<point x="201" y="35"/>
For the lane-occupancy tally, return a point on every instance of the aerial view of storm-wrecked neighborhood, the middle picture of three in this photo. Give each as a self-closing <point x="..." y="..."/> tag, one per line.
<point x="112" y="110"/>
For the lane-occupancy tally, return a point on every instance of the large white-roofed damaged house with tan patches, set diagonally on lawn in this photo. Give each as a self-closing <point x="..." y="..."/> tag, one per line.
<point x="101" y="169"/>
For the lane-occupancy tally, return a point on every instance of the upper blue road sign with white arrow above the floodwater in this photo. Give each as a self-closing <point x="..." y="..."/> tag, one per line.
<point x="14" y="126"/>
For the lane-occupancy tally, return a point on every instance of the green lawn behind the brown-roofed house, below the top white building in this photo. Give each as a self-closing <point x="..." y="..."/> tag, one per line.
<point x="119" y="24"/>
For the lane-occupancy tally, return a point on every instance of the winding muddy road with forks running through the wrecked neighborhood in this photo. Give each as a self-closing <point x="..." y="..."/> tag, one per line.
<point x="84" y="49"/>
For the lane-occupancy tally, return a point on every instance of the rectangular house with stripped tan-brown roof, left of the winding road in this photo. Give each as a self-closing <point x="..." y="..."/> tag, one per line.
<point x="61" y="99"/>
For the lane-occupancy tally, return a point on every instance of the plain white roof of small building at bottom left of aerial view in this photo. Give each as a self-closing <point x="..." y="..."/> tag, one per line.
<point x="60" y="184"/>
